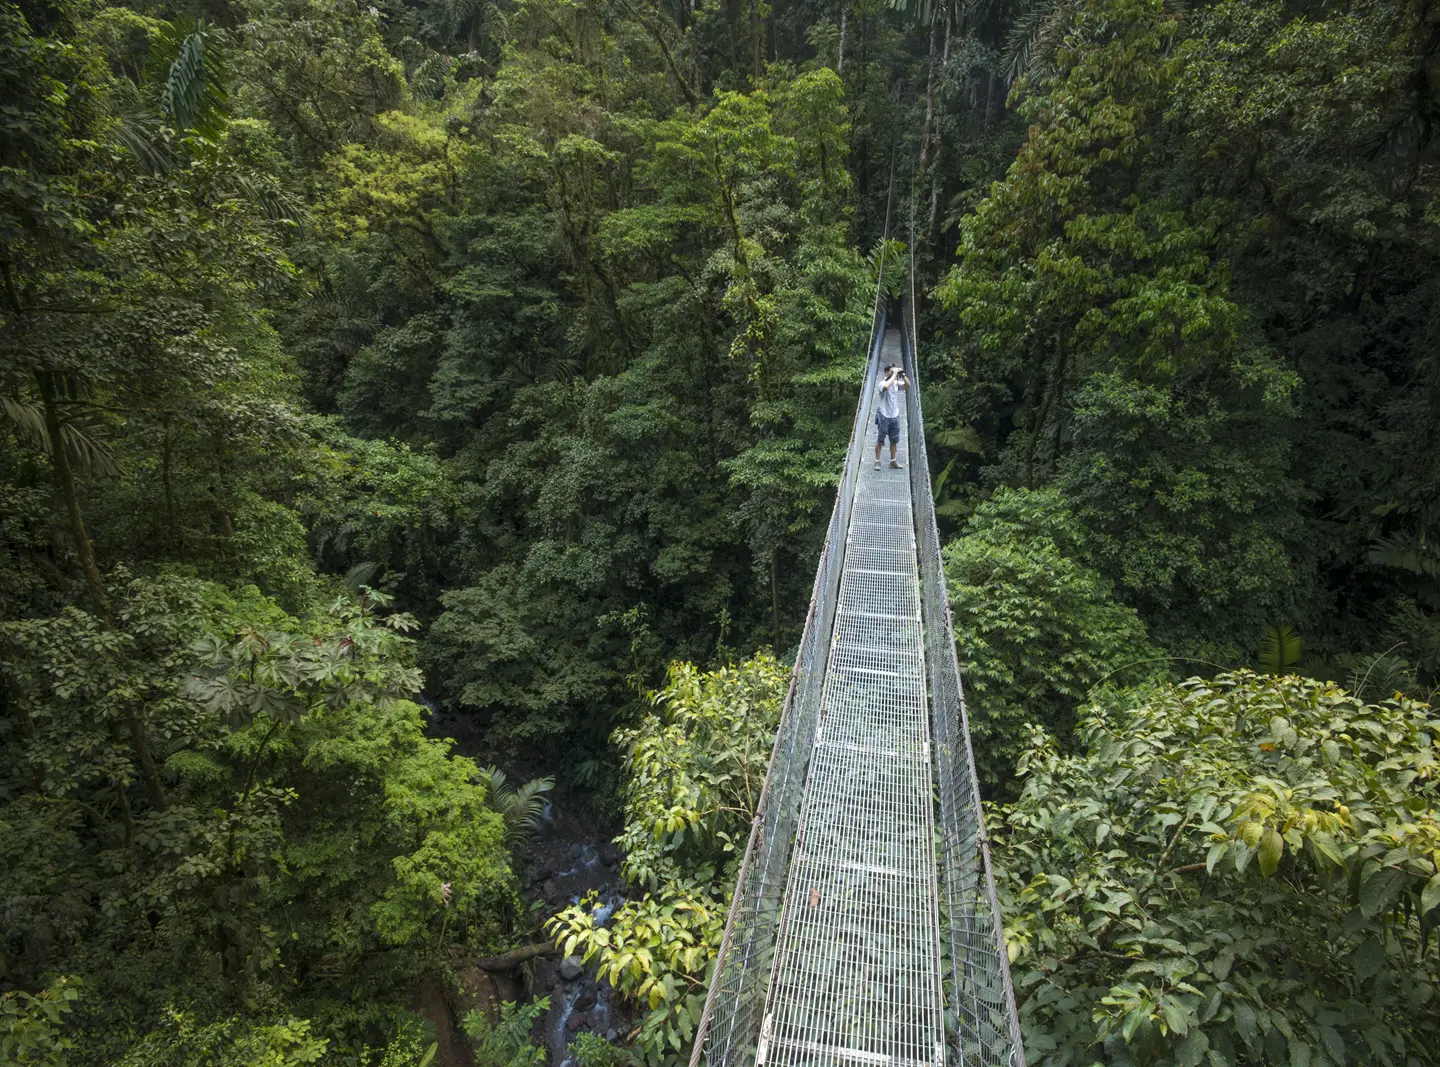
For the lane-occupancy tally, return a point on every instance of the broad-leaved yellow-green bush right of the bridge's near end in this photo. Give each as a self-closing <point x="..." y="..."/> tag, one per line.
<point x="1241" y="869"/>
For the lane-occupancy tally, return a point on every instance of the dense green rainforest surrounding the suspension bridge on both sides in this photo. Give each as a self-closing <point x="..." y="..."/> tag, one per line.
<point x="499" y="358"/>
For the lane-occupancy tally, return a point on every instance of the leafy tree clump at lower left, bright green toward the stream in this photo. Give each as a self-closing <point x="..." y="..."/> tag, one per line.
<point x="305" y="829"/>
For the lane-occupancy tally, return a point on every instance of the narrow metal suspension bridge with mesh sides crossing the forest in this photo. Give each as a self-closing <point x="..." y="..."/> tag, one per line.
<point x="865" y="928"/>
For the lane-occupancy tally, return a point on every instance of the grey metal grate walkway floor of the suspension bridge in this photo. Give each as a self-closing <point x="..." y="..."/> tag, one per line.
<point x="858" y="971"/>
